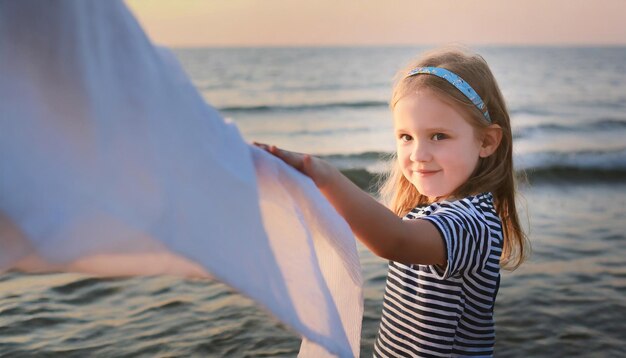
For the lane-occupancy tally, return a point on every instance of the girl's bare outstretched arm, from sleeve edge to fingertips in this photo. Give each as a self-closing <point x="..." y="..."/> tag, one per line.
<point x="384" y="233"/>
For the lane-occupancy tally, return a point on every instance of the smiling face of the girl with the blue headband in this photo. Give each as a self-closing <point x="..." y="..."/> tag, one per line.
<point x="437" y="148"/>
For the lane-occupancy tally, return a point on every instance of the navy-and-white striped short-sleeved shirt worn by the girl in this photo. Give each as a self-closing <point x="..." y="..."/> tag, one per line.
<point x="433" y="311"/>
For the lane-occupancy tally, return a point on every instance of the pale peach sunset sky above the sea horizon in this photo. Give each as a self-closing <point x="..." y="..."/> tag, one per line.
<point x="200" y="23"/>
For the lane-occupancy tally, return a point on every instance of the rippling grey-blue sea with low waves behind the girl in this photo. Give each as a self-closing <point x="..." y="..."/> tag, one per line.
<point x="568" y="111"/>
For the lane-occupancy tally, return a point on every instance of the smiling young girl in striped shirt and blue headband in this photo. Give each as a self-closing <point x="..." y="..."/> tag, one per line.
<point x="453" y="186"/>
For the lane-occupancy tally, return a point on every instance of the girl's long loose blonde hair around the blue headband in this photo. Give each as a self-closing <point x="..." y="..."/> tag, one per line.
<point x="494" y="173"/>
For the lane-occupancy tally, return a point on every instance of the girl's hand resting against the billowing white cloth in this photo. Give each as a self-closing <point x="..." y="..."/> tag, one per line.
<point x="314" y="168"/>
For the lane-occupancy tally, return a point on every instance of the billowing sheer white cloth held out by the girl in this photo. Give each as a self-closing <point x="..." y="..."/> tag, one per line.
<point x="112" y="163"/>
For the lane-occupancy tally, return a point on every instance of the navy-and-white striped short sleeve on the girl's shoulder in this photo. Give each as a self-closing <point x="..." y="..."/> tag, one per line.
<point x="465" y="235"/>
